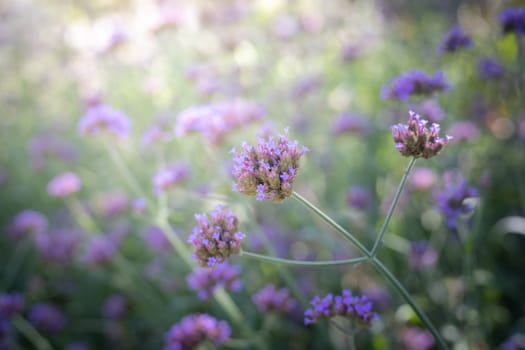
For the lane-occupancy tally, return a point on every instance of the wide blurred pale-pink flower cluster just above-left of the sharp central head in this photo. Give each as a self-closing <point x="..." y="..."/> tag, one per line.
<point x="215" y="120"/>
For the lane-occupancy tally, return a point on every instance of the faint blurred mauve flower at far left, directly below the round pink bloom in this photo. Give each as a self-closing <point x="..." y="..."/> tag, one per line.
<point x="58" y="246"/>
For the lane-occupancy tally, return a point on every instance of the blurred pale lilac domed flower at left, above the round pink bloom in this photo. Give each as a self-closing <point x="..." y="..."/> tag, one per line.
<point x="102" y="117"/>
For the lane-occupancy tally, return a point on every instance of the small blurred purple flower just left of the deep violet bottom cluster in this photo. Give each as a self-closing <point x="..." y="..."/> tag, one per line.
<point x="269" y="299"/>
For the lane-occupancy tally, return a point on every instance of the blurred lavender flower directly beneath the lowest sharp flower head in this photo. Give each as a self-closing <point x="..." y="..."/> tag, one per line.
<point x="205" y="281"/>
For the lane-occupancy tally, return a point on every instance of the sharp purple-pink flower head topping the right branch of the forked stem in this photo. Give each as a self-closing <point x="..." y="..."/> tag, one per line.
<point x="414" y="139"/>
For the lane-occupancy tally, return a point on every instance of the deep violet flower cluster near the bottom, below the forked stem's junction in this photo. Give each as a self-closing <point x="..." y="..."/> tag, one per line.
<point x="358" y="307"/>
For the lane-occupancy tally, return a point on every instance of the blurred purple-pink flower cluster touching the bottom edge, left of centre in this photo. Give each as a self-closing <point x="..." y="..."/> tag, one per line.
<point x="195" y="328"/>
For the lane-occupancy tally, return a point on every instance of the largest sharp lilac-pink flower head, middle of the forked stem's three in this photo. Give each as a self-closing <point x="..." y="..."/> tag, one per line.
<point x="267" y="171"/>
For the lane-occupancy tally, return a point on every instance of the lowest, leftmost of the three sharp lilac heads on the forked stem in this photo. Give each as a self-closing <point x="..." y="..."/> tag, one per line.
<point x="215" y="237"/>
